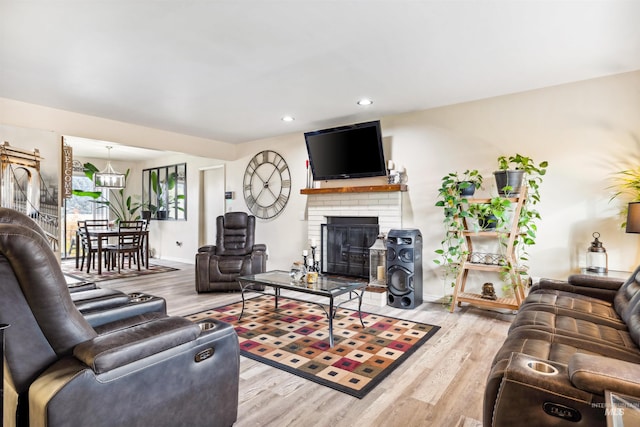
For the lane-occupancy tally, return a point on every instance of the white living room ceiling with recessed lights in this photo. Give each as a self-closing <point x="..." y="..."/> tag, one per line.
<point x="228" y="70"/>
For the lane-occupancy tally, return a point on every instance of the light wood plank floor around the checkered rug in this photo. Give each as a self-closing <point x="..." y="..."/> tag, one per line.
<point x="442" y="384"/>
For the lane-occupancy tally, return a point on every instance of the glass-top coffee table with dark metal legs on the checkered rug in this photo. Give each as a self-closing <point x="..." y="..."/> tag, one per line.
<point x="324" y="286"/>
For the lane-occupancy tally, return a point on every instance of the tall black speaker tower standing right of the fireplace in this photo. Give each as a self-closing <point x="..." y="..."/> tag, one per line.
<point x="404" y="268"/>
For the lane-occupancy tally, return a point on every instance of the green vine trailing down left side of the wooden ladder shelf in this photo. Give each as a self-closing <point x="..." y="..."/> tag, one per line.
<point x="450" y="197"/>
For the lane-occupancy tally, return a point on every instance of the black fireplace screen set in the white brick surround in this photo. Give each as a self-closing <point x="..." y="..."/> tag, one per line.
<point x="345" y="248"/>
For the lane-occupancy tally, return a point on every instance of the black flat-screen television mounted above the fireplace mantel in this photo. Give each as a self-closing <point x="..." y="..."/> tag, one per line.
<point x="353" y="151"/>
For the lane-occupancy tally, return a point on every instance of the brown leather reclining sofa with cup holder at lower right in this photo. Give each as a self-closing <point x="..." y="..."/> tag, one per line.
<point x="569" y="343"/>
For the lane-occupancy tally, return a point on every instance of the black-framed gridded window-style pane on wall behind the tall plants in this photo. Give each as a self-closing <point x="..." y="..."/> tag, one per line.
<point x="164" y="192"/>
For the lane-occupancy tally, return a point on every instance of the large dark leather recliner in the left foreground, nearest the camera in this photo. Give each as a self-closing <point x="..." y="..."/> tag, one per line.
<point x="149" y="369"/>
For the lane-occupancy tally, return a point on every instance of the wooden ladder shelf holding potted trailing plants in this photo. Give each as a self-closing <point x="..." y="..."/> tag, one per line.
<point x="496" y="263"/>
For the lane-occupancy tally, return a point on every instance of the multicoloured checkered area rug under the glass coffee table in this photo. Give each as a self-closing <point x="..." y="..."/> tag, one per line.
<point x="295" y="338"/>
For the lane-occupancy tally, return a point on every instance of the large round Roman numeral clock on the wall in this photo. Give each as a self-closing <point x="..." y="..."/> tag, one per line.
<point x="267" y="184"/>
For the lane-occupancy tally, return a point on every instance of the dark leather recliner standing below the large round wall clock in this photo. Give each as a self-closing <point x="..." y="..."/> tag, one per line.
<point x="234" y="254"/>
